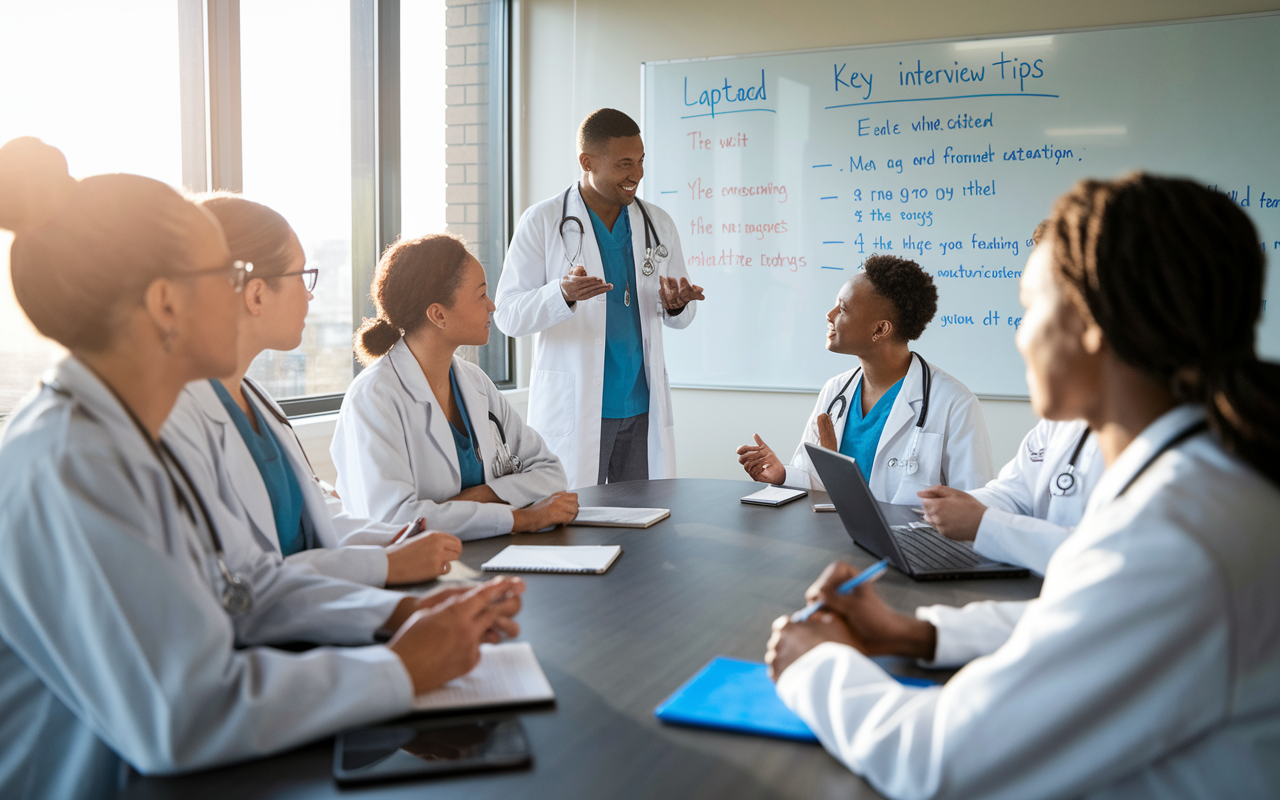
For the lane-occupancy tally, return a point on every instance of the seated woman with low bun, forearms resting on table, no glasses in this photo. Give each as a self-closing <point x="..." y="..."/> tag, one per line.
<point x="423" y="433"/>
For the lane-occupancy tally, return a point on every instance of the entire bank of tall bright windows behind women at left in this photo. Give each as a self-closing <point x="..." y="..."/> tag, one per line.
<point x="356" y="120"/>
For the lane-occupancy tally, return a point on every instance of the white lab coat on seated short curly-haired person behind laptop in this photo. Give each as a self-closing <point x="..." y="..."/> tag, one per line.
<point x="954" y="447"/>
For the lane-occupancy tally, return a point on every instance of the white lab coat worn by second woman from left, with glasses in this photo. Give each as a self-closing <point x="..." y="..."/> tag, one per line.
<point x="200" y="429"/>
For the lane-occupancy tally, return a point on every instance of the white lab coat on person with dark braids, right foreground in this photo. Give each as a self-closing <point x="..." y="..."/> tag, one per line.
<point x="1149" y="668"/>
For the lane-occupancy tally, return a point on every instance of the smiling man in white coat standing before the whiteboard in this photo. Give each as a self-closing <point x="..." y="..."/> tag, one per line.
<point x="595" y="275"/>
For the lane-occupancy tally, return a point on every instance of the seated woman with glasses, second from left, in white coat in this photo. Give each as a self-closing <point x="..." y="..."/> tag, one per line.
<point x="234" y="429"/>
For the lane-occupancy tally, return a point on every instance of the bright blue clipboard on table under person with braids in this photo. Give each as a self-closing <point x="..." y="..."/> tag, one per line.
<point x="737" y="696"/>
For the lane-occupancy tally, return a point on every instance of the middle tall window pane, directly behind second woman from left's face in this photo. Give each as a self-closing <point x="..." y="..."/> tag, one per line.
<point x="296" y="144"/>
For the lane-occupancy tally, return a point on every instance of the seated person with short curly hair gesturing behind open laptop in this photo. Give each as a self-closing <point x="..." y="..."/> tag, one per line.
<point x="907" y="423"/>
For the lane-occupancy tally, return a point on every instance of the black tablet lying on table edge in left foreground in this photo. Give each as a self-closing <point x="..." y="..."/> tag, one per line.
<point x="424" y="748"/>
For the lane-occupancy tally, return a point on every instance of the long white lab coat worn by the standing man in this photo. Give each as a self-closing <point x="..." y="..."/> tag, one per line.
<point x="566" y="391"/>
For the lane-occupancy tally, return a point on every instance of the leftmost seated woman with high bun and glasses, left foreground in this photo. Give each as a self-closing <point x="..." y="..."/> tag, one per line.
<point x="132" y="633"/>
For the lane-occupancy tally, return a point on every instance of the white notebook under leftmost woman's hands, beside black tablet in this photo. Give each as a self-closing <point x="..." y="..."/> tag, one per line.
<point x="509" y="674"/>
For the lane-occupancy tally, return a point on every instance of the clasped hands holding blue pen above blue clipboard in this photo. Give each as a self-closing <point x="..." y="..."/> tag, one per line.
<point x="860" y="620"/>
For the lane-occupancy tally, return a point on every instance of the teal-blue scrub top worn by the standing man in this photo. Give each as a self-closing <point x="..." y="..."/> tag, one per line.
<point x="627" y="390"/>
